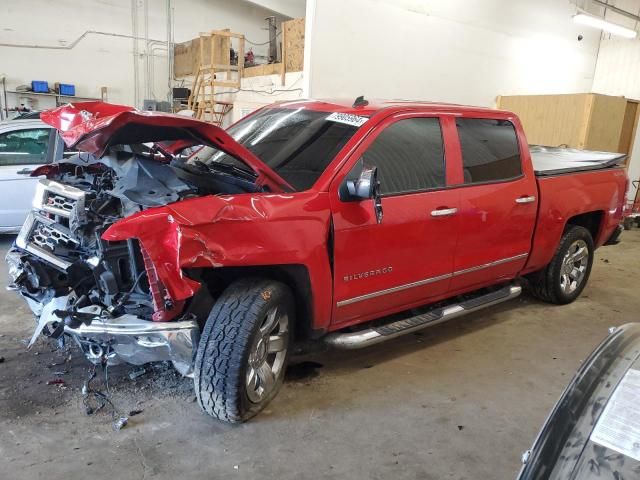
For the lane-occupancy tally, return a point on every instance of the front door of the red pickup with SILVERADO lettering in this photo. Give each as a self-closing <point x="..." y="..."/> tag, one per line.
<point x="406" y="259"/>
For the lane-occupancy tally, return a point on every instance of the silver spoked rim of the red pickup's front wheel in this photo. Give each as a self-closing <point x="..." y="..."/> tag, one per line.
<point x="267" y="355"/>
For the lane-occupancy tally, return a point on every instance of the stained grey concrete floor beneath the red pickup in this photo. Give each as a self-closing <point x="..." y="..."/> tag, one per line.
<point x="460" y="401"/>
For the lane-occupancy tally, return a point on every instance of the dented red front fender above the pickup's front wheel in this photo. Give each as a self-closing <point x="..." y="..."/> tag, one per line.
<point x="240" y="230"/>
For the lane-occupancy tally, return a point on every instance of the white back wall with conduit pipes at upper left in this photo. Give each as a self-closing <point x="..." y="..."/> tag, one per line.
<point x="107" y="61"/>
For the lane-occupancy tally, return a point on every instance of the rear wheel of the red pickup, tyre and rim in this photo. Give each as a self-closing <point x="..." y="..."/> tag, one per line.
<point x="563" y="280"/>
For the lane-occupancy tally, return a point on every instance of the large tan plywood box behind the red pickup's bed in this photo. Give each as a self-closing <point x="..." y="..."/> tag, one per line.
<point x="586" y="121"/>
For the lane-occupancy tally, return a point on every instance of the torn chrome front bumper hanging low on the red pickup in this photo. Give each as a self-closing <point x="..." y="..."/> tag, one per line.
<point x="126" y="338"/>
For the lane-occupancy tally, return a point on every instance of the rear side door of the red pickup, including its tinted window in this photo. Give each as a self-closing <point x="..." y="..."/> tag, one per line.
<point x="498" y="204"/>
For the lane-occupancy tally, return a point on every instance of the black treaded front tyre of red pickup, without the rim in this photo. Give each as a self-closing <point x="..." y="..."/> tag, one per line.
<point x="223" y="352"/>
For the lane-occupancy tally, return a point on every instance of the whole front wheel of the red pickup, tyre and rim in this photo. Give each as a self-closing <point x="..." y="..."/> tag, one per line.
<point x="244" y="349"/>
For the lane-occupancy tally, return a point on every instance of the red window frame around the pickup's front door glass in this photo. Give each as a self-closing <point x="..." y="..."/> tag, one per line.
<point x="381" y="127"/>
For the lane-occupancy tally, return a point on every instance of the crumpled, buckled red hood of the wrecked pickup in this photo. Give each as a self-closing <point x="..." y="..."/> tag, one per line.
<point x="95" y="126"/>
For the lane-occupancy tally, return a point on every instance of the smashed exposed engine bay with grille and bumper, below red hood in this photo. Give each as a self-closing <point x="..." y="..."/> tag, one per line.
<point x="105" y="295"/>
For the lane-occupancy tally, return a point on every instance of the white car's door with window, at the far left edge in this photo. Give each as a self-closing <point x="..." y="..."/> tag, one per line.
<point x="22" y="150"/>
